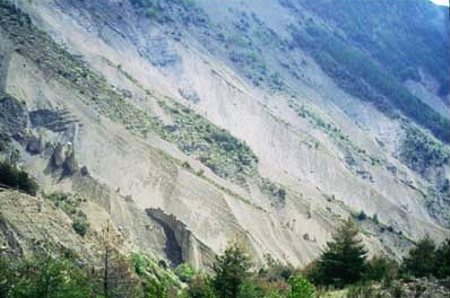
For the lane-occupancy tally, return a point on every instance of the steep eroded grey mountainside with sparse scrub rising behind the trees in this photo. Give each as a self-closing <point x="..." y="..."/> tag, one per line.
<point x="265" y="122"/>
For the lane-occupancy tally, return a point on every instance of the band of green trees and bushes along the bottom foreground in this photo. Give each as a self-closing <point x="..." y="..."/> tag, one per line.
<point x="343" y="264"/>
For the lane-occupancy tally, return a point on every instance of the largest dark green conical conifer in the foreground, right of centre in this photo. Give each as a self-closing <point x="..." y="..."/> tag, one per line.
<point x="343" y="262"/>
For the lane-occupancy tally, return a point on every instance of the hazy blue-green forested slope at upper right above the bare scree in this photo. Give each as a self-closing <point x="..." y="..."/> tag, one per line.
<point x="384" y="45"/>
